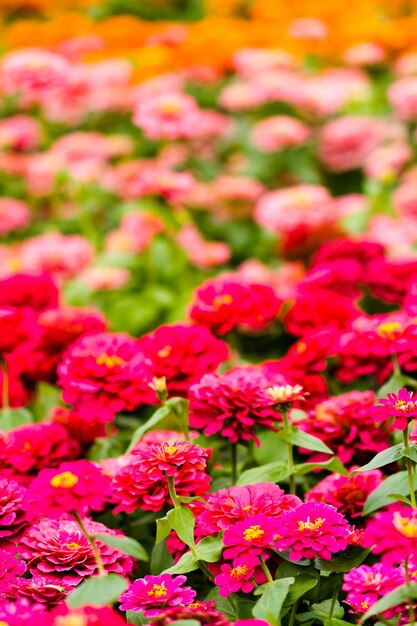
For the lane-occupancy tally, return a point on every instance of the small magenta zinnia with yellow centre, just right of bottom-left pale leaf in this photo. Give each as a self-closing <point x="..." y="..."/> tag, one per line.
<point x="153" y="593"/>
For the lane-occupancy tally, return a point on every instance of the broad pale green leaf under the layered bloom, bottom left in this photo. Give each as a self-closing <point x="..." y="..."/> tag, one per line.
<point x="98" y="591"/>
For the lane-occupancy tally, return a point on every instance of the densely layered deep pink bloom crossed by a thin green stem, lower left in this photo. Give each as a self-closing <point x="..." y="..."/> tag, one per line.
<point x="59" y="550"/>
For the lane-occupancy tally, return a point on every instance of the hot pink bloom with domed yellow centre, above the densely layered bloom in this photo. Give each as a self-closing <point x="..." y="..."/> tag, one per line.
<point x="77" y="486"/>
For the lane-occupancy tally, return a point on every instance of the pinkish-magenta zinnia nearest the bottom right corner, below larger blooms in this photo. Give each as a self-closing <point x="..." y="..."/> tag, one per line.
<point x="367" y="584"/>
